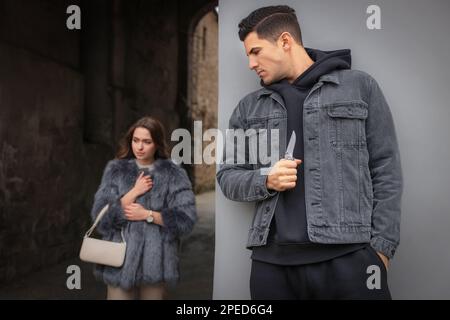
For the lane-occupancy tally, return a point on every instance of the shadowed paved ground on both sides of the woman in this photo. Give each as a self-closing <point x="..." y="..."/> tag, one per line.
<point x="196" y="267"/>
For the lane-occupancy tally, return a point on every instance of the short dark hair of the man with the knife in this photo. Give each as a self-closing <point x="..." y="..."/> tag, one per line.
<point x="270" y="22"/>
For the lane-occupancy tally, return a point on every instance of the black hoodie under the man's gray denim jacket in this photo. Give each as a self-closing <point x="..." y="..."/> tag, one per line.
<point x="288" y="242"/>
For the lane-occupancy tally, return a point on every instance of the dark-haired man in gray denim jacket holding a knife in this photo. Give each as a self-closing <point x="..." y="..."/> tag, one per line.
<point x="330" y="216"/>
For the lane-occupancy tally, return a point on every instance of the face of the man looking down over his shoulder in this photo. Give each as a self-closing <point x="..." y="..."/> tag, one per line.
<point x="266" y="58"/>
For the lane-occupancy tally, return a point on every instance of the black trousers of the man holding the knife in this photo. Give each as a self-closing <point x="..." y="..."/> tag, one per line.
<point x="347" y="277"/>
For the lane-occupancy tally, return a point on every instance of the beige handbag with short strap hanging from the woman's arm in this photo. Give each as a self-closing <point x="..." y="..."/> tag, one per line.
<point x="104" y="252"/>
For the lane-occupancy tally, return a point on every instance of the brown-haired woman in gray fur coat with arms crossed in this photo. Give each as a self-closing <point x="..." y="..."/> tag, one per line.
<point x="152" y="202"/>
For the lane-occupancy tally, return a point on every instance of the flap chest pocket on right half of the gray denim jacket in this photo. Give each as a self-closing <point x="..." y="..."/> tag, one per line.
<point x="346" y="124"/>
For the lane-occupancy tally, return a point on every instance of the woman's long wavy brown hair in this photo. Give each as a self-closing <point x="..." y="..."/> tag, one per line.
<point x="157" y="132"/>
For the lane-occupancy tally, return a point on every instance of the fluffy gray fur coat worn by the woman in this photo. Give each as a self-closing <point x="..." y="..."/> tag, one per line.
<point x="152" y="250"/>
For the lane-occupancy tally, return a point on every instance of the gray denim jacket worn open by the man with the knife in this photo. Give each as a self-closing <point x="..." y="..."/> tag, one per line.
<point x="353" y="175"/>
